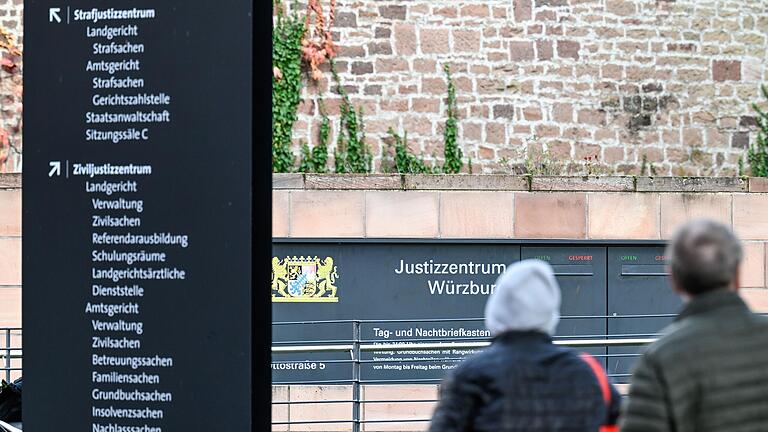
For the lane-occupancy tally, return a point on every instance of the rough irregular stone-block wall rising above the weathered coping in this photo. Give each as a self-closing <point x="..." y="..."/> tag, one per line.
<point x="668" y="81"/>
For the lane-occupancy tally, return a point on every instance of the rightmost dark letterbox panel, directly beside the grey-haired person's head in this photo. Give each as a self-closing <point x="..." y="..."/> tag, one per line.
<point x="637" y="285"/>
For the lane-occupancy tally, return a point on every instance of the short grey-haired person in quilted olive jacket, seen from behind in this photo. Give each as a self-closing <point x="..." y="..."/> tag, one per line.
<point x="709" y="370"/>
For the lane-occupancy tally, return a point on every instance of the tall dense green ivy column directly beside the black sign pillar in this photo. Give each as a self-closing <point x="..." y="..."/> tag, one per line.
<point x="287" y="34"/>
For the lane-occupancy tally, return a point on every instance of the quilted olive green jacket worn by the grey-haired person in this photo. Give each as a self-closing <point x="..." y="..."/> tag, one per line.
<point x="708" y="372"/>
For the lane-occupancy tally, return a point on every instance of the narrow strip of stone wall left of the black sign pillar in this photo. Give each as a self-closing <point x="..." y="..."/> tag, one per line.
<point x="11" y="15"/>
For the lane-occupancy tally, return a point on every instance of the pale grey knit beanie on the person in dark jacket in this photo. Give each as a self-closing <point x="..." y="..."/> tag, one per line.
<point x="526" y="297"/>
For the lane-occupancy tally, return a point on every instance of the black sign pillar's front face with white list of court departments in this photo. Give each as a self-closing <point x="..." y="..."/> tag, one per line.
<point x="137" y="216"/>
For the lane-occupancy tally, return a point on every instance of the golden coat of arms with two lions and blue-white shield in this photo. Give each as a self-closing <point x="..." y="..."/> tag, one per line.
<point x="303" y="279"/>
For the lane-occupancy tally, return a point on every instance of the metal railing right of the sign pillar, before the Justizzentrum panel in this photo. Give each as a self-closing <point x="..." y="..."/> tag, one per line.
<point x="357" y="346"/>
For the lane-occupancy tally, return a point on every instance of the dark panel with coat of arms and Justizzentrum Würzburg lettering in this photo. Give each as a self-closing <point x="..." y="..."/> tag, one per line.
<point x="382" y="283"/>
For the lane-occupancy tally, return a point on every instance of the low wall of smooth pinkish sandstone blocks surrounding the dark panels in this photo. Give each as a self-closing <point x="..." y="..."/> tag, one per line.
<point x="499" y="206"/>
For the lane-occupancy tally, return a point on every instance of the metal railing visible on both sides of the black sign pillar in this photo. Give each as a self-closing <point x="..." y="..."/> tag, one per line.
<point x="355" y="347"/>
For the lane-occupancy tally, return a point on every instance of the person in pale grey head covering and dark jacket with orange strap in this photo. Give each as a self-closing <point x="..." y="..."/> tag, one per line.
<point x="522" y="381"/>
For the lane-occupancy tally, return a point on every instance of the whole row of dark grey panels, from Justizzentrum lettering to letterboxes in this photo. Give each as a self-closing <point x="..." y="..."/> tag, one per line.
<point x="597" y="283"/>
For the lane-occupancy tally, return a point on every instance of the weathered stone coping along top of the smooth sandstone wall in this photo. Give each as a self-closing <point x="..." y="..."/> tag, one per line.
<point x="503" y="182"/>
